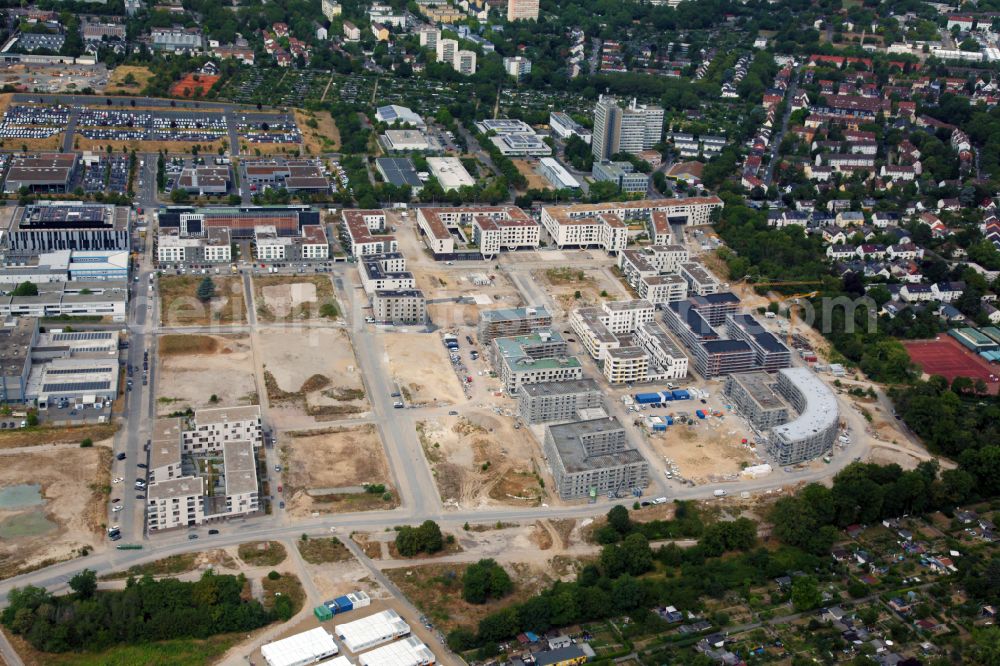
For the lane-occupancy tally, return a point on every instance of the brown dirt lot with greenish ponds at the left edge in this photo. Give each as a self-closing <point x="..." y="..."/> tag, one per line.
<point x="71" y="515"/>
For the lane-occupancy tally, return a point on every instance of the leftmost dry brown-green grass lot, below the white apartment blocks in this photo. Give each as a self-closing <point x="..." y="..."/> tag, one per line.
<point x="179" y="305"/>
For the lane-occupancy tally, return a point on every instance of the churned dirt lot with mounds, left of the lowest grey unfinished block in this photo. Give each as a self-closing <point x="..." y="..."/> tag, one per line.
<point x="479" y="459"/>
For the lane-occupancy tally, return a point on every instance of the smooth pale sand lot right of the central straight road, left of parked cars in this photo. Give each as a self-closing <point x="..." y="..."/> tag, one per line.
<point x="419" y="364"/>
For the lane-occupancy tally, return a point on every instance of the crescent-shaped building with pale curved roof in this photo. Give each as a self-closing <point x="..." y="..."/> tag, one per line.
<point x="812" y="433"/>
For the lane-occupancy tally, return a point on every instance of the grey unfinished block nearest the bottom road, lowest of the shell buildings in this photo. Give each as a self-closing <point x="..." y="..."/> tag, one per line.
<point x="592" y="457"/>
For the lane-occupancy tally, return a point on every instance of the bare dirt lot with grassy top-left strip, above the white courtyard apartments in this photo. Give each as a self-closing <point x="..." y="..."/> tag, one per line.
<point x="193" y="368"/>
